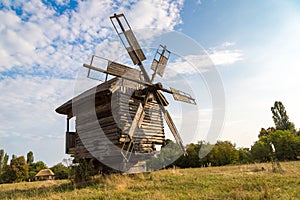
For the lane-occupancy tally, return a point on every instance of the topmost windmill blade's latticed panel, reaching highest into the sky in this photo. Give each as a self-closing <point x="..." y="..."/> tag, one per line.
<point x="127" y="37"/>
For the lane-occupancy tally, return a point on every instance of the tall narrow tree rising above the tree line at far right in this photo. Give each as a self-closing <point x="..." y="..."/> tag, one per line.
<point x="281" y="118"/>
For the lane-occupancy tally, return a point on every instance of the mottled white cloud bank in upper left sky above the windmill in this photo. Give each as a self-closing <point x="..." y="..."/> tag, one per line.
<point x="74" y="34"/>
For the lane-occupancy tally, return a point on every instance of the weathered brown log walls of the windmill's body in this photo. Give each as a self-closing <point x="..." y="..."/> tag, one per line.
<point x="103" y="119"/>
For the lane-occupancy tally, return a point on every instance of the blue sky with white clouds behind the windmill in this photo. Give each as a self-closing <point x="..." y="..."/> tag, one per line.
<point x="254" y="47"/>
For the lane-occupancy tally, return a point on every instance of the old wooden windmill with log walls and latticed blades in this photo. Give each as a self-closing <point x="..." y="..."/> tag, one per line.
<point x="129" y="108"/>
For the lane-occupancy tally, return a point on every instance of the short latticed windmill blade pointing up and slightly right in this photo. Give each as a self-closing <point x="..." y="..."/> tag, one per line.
<point x="160" y="61"/>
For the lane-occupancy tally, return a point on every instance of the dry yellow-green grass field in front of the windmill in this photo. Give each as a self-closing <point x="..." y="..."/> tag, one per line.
<point x="228" y="182"/>
